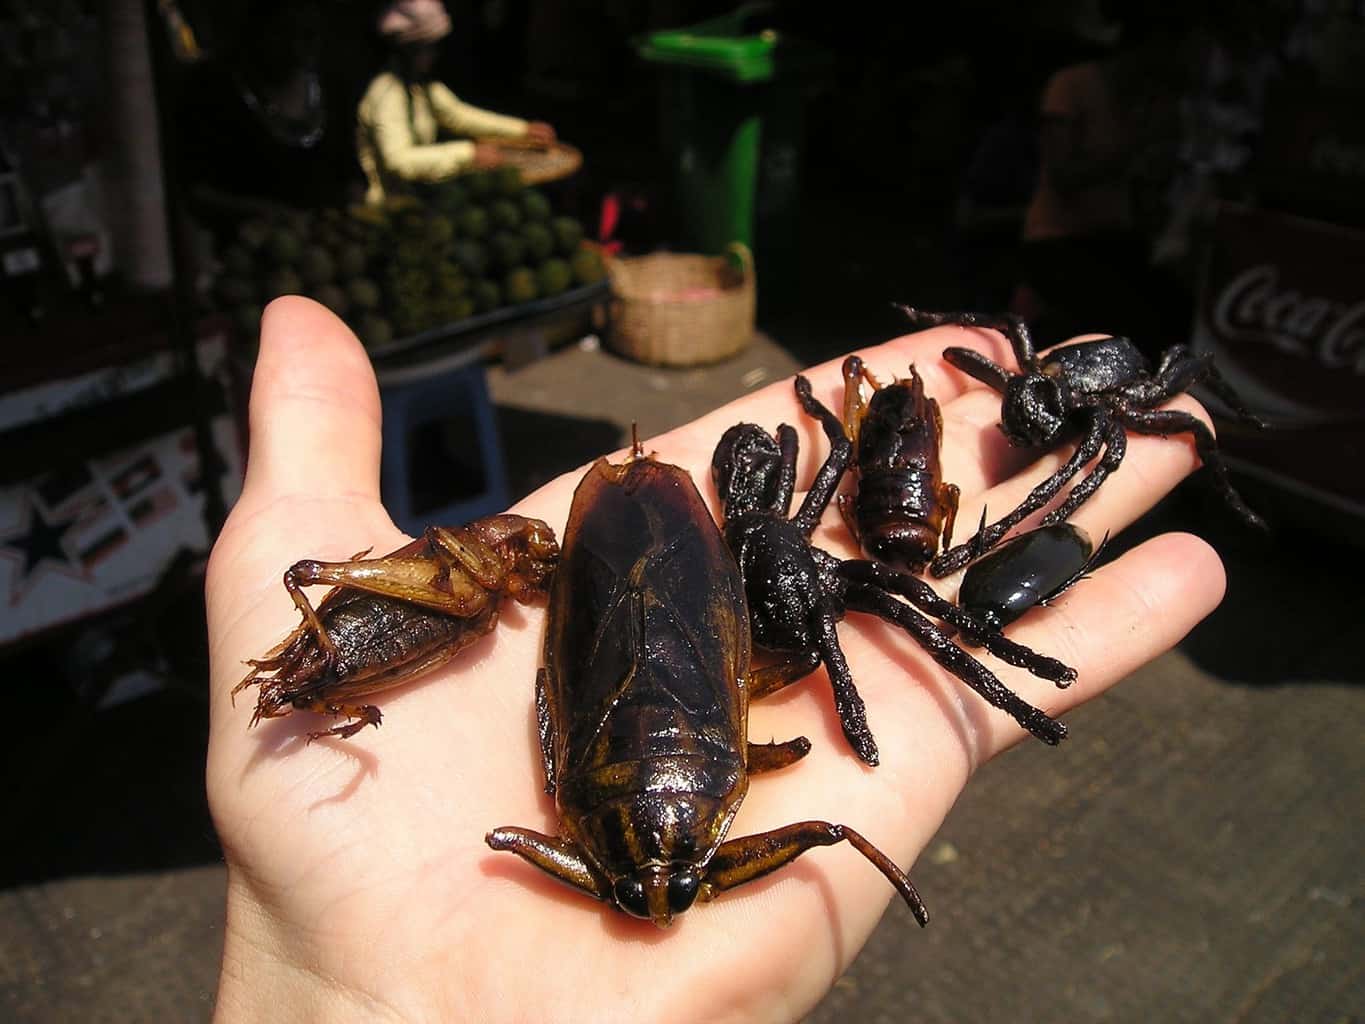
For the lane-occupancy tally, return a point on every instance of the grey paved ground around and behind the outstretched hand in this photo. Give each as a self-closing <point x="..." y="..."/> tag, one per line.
<point x="1191" y="855"/>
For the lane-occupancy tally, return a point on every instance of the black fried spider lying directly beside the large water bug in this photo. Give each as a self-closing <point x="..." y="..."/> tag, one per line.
<point x="798" y="593"/>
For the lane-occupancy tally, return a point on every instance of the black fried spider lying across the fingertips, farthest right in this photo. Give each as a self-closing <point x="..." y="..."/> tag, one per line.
<point x="1098" y="390"/>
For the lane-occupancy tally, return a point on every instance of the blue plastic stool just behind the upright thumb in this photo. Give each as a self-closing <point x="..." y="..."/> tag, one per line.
<point x="443" y="455"/>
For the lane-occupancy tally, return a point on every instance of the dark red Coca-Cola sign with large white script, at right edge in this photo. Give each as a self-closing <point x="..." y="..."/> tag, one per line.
<point x="1284" y="308"/>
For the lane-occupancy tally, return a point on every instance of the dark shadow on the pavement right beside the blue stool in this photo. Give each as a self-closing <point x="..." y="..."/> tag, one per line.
<point x="541" y="446"/>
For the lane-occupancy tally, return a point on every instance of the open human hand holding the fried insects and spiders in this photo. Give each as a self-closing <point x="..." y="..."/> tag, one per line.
<point x="360" y="885"/>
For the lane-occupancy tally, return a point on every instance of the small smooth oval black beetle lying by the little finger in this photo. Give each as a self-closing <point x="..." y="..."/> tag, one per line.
<point x="1026" y="571"/>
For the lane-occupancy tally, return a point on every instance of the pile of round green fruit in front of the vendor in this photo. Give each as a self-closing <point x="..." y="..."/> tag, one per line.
<point x="476" y="244"/>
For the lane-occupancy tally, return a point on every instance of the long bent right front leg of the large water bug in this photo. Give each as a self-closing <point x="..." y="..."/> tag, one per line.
<point x="745" y="859"/>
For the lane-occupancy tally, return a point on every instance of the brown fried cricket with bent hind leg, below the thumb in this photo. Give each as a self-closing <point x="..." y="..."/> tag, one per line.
<point x="388" y="621"/>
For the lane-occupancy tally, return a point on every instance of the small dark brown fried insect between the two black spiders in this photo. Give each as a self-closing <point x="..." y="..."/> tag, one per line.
<point x="902" y="504"/>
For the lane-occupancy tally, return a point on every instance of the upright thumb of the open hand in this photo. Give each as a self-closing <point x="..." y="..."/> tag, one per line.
<point x="315" y="408"/>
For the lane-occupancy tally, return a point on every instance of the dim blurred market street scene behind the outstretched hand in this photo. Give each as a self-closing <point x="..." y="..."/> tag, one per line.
<point x="732" y="193"/>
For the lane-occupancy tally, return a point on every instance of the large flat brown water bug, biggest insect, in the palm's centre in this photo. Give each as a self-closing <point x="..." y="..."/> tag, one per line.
<point x="644" y="708"/>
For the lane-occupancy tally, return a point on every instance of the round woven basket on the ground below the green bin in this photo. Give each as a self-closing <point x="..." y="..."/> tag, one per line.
<point x="675" y="309"/>
